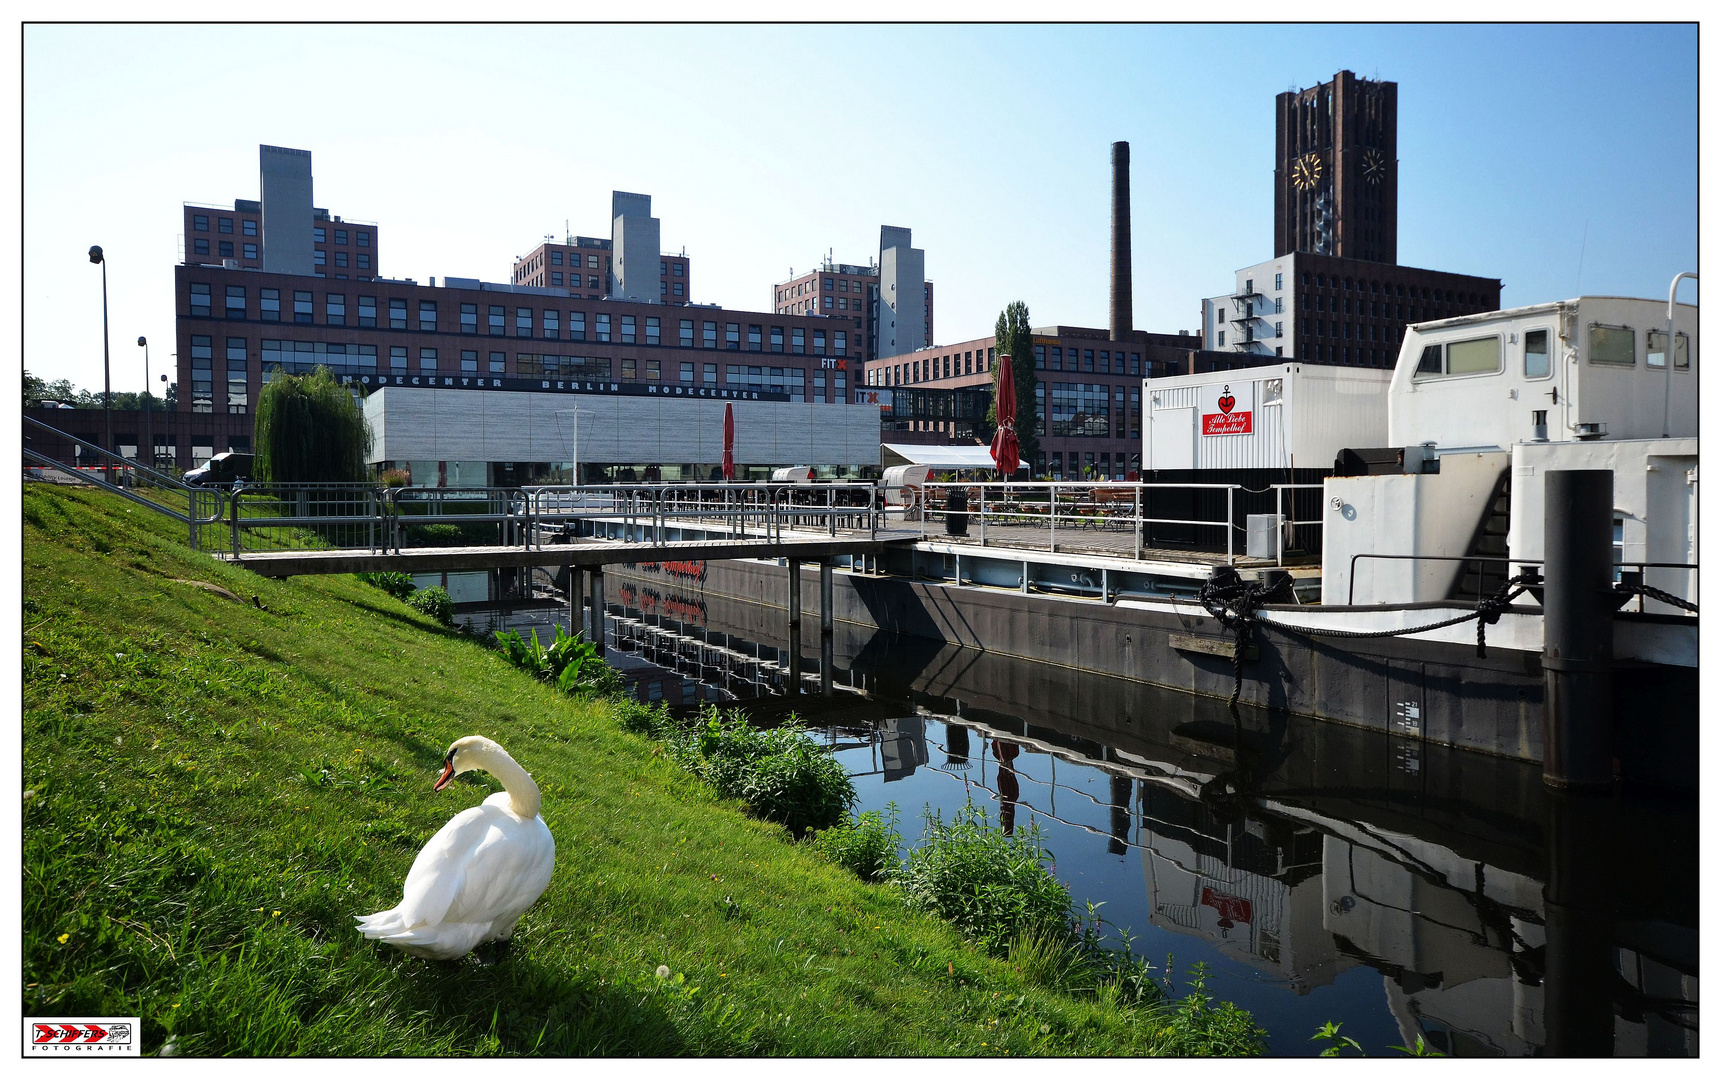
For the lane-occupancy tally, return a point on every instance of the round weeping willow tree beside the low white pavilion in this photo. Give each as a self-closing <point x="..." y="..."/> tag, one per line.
<point x="311" y="431"/>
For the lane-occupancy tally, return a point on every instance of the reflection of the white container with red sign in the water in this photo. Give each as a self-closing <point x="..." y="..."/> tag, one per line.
<point x="1250" y="887"/>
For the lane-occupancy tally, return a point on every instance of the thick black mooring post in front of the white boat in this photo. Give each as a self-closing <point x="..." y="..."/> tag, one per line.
<point x="1577" y="629"/>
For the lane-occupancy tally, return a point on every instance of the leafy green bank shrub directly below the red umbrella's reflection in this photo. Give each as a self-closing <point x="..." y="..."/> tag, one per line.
<point x="992" y="887"/>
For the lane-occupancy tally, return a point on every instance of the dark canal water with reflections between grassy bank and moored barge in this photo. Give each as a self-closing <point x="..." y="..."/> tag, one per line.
<point x="1321" y="873"/>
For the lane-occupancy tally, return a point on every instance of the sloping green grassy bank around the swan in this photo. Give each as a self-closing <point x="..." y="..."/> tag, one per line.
<point x="223" y="771"/>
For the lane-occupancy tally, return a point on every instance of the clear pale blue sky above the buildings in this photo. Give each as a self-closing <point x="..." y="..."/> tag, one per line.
<point x="1524" y="152"/>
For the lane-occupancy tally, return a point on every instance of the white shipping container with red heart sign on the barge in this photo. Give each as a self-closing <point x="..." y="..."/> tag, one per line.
<point x="1262" y="419"/>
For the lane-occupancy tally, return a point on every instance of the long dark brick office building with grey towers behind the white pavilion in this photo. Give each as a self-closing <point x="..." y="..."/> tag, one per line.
<point x="240" y="322"/>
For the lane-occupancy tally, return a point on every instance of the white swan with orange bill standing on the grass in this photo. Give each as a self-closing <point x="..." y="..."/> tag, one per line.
<point x="479" y="873"/>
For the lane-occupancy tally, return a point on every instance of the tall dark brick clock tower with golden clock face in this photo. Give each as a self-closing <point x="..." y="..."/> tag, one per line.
<point x="1336" y="171"/>
